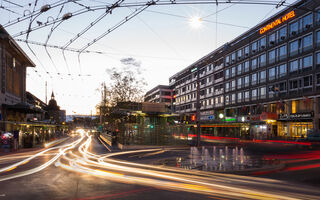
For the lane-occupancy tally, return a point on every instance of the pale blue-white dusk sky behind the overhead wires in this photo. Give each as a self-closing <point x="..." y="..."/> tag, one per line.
<point x="161" y="38"/>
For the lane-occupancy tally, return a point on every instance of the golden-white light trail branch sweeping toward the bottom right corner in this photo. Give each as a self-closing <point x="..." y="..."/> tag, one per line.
<point x="98" y="165"/>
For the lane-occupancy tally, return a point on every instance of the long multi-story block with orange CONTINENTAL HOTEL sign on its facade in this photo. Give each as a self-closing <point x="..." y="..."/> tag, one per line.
<point x="264" y="83"/>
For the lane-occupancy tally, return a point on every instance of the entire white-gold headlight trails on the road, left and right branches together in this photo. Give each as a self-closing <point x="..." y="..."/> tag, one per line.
<point x="76" y="157"/>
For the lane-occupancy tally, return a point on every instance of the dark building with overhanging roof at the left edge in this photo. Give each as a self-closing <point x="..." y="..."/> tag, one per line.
<point x="13" y="64"/>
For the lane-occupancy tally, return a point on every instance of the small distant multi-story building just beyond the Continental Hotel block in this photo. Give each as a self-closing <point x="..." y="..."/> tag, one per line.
<point x="159" y="94"/>
